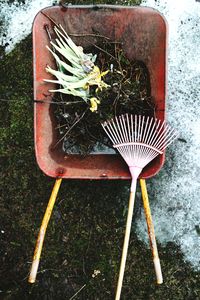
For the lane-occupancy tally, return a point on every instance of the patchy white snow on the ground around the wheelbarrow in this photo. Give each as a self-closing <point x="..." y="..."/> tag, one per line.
<point x="175" y="191"/>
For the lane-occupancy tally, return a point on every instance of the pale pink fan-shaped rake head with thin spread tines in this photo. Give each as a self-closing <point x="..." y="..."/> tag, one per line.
<point x="139" y="139"/>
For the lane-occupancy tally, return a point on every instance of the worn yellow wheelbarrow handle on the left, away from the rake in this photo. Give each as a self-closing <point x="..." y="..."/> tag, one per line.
<point x="41" y="235"/>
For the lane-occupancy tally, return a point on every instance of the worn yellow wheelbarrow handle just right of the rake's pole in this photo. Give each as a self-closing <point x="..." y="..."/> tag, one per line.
<point x="151" y="233"/>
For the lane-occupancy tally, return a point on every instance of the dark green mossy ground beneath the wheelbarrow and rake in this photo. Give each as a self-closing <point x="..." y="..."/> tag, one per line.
<point x="86" y="229"/>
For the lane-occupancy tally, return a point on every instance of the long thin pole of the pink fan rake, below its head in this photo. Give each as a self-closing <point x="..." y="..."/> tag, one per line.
<point x="126" y="238"/>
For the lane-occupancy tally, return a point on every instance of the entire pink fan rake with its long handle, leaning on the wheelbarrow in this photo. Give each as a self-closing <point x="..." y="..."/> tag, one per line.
<point x="139" y="139"/>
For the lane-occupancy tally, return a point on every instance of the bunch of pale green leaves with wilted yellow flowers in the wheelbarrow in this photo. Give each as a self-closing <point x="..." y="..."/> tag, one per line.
<point x="76" y="71"/>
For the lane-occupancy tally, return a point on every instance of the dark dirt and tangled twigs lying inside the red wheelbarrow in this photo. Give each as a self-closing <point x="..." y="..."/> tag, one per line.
<point x="128" y="92"/>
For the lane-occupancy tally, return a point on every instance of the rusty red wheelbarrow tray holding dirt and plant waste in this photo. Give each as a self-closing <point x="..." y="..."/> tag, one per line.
<point x="142" y="32"/>
